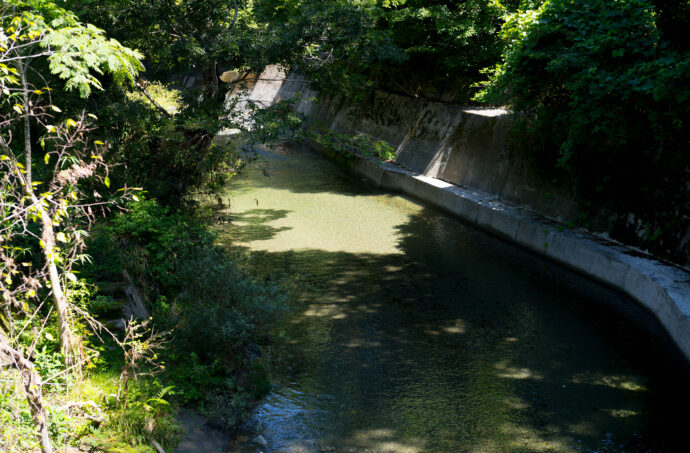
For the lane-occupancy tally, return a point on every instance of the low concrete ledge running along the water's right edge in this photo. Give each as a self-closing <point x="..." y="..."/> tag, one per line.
<point x="661" y="288"/>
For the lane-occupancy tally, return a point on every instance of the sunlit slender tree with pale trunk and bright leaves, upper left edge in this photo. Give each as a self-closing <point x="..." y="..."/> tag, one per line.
<point x="72" y="51"/>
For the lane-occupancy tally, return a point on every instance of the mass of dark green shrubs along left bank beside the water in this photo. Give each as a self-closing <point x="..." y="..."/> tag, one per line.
<point x="220" y="317"/>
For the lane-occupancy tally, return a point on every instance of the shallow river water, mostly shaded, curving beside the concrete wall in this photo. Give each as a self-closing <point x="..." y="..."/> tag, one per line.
<point x="414" y="332"/>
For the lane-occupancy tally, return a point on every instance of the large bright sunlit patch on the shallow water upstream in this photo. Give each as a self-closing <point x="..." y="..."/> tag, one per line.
<point x="312" y="212"/>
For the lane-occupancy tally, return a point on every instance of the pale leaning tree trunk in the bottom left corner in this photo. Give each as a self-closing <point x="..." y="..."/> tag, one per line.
<point x="32" y="388"/>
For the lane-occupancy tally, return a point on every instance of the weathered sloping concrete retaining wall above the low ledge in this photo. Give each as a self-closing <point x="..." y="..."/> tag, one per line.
<point x="464" y="146"/>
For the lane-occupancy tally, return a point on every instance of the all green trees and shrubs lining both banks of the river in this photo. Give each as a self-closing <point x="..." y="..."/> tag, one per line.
<point x="106" y="150"/>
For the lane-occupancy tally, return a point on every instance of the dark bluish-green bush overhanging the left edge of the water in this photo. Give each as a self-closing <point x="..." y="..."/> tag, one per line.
<point x="222" y="334"/>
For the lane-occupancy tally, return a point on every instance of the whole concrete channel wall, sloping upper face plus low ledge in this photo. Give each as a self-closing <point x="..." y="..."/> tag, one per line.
<point x="454" y="158"/>
